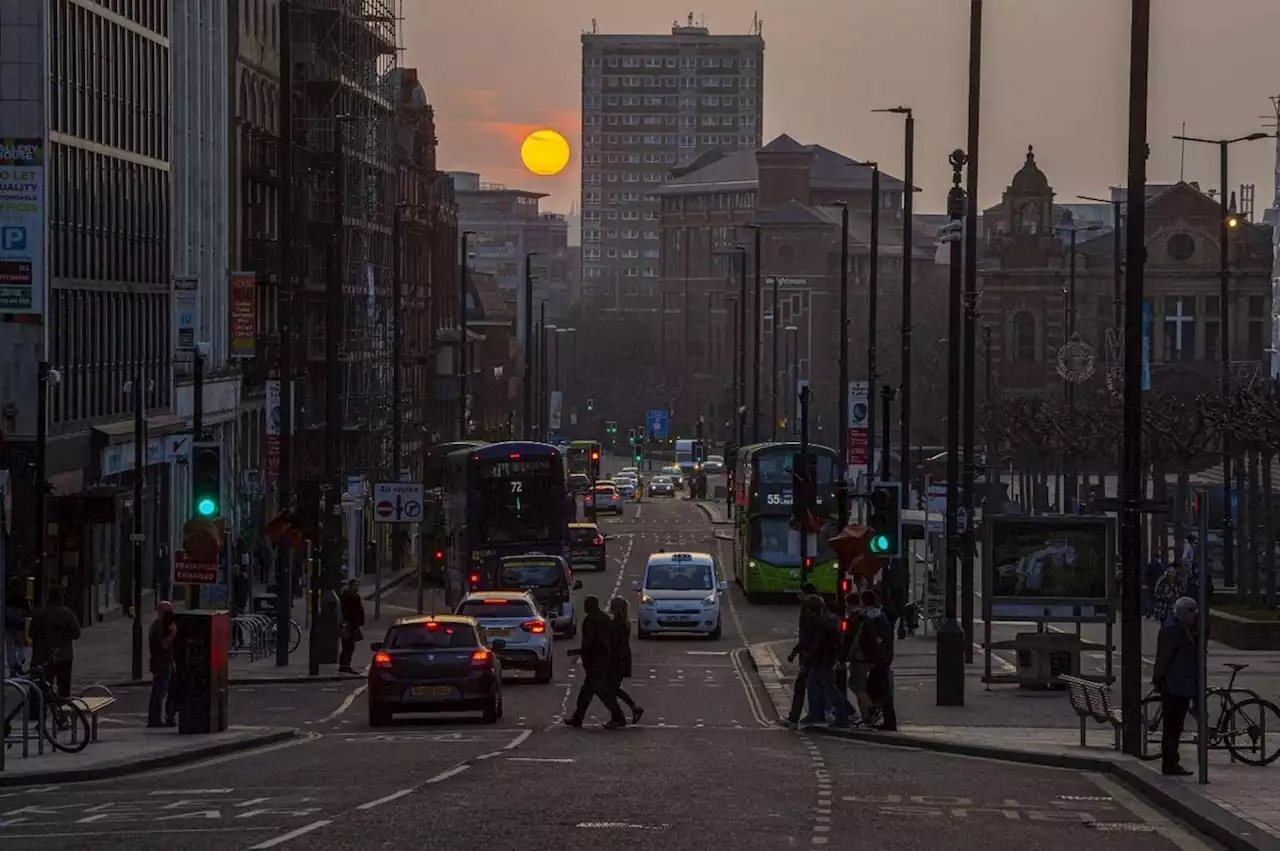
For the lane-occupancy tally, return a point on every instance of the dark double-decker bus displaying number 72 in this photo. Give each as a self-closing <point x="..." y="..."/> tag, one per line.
<point x="502" y="500"/>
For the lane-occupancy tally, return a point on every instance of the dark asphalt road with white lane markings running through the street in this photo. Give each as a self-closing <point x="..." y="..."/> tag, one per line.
<point x="707" y="768"/>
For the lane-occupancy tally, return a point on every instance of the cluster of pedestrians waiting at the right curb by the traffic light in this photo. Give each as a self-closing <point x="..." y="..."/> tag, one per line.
<point x="844" y="653"/>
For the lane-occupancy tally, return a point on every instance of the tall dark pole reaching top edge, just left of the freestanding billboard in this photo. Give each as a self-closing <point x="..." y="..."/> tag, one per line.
<point x="971" y="315"/>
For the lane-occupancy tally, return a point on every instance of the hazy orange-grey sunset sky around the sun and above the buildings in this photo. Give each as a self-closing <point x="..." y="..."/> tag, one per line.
<point x="1055" y="77"/>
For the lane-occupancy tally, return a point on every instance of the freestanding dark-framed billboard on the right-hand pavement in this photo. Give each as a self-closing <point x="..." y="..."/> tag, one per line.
<point x="1049" y="569"/>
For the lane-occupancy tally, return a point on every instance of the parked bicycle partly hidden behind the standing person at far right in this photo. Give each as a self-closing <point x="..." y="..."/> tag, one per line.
<point x="1242" y="726"/>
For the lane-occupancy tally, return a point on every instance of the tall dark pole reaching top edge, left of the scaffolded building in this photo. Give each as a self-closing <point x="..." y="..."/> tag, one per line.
<point x="285" y="368"/>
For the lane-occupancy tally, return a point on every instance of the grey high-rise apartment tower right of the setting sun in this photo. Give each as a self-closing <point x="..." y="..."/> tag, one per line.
<point x="653" y="103"/>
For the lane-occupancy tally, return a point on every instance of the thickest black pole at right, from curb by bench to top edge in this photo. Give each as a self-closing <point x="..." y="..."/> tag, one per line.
<point x="1131" y="470"/>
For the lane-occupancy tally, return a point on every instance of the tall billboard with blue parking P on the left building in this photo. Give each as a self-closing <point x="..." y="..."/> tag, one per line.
<point x="22" y="226"/>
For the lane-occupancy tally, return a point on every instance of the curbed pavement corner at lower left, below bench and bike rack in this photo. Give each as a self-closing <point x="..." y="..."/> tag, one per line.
<point x="131" y="751"/>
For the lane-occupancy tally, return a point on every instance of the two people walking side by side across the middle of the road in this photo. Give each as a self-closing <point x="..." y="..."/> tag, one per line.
<point x="606" y="656"/>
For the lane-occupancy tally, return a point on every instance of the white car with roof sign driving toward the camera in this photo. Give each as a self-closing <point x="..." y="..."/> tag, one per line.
<point x="680" y="593"/>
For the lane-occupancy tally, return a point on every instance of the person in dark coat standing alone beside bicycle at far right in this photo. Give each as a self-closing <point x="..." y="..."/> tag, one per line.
<point x="1176" y="678"/>
